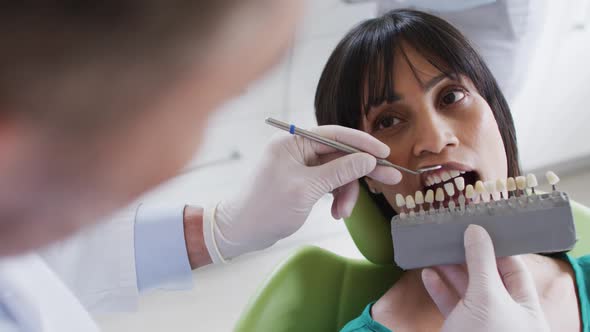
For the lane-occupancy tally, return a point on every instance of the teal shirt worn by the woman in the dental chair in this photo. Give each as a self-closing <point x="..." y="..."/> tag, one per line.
<point x="581" y="267"/>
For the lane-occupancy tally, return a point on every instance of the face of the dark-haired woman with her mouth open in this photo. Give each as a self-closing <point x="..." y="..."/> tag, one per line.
<point x="436" y="120"/>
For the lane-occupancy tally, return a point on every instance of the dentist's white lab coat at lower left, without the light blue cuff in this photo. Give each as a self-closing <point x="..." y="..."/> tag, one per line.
<point x="92" y="271"/>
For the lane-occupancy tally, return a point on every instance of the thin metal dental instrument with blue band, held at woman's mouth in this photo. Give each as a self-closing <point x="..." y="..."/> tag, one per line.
<point x="340" y="146"/>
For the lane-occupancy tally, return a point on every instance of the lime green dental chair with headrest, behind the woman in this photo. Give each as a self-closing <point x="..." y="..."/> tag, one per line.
<point x="316" y="290"/>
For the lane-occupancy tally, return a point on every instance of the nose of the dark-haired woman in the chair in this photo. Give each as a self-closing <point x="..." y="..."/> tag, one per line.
<point x="433" y="135"/>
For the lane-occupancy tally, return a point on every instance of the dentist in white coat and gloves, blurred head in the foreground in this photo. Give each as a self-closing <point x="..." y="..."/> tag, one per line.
<point x="101" y="102"/>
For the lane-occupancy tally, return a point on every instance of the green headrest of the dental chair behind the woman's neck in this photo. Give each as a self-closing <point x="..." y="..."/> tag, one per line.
<point x="371" y="231"/>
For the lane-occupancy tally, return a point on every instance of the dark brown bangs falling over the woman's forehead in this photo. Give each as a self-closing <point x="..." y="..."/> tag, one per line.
<point x="382" y="42"/>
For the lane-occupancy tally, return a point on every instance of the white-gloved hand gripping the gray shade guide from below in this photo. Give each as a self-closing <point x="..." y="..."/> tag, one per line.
<point x="488" y="297"/>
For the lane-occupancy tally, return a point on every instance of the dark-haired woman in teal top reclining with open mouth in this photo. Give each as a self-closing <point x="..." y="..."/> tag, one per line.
<point x="413" y="81"/>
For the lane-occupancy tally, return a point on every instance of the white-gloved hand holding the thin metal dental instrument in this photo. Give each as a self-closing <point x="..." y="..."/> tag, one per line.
<point x="294" y="174"/>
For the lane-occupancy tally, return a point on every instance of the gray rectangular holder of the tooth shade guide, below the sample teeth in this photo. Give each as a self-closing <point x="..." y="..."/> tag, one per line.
<point x="538" y="223"/>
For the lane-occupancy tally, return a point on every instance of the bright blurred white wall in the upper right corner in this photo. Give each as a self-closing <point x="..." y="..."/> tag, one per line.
<point x="553" y="111"/>
